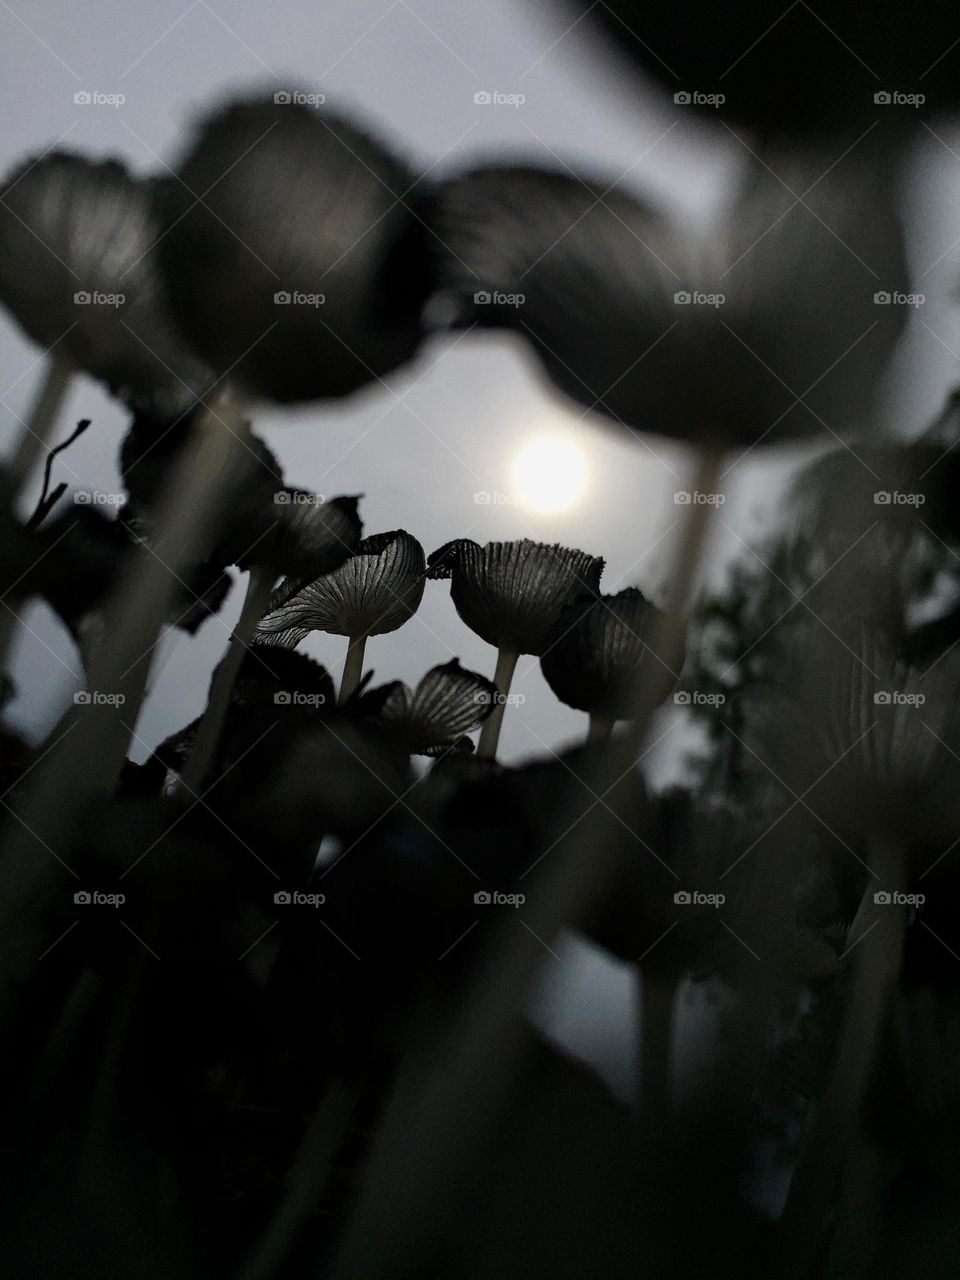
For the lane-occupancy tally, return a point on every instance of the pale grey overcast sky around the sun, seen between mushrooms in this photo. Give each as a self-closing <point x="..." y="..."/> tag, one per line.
<point x="451" y="424"/>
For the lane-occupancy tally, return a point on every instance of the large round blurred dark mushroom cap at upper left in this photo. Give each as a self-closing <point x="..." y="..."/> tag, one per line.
<point x="292" y="257"/>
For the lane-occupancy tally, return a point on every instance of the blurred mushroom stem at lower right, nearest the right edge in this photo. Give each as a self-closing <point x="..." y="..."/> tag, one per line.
<point x="876" y="947"/>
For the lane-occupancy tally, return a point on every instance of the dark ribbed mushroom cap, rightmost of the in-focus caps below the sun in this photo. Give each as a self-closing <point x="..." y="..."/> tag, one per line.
<point x="601" y="646"/>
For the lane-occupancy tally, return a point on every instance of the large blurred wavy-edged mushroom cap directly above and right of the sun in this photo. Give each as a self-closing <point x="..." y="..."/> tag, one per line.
<point x="760" y="330"/>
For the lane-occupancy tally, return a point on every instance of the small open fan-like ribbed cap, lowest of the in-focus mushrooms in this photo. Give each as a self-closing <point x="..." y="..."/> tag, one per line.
<point x="449" y="703"/>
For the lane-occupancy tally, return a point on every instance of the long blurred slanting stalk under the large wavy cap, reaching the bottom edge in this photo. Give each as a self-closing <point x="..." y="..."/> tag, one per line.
<point x="440" y="1121"/>
